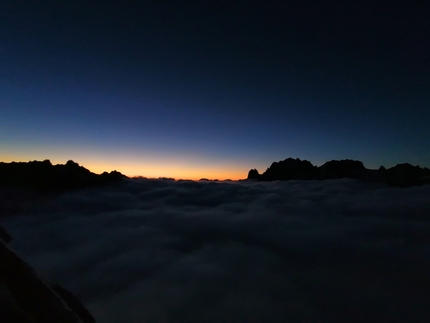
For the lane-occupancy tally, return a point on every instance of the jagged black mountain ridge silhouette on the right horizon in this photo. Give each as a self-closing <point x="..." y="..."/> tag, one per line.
<point x="401" y="175"/>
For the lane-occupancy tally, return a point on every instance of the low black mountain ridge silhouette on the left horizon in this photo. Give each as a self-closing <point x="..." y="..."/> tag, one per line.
<point x="42" y="175"/>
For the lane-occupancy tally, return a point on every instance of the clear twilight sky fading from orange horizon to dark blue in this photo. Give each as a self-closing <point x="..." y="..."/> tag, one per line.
<point x="192" y="89"/>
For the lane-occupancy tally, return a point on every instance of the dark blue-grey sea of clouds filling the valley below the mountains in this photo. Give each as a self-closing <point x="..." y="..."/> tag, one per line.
<point x="183" y="251"/>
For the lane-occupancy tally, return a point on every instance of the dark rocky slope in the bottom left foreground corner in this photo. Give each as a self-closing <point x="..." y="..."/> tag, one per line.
<point x="26" y="297"/>
